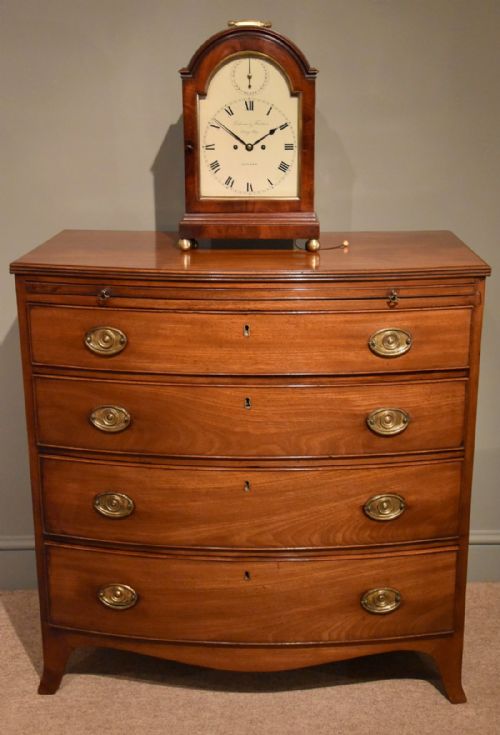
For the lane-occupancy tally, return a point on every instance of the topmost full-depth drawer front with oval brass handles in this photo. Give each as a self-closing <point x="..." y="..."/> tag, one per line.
<point x="248" y="344"/>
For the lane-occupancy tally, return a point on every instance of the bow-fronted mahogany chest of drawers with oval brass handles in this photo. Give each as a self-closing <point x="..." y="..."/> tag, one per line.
<point x="249" y="459"/>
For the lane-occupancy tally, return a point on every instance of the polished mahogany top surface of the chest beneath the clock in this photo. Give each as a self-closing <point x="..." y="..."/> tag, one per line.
<point x="154" y="255"/>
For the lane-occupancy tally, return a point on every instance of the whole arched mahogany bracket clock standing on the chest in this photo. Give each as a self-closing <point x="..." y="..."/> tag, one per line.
<point x="249" y="119"/>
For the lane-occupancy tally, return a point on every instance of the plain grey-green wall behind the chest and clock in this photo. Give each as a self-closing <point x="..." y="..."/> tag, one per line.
<point x="407" y="138"/>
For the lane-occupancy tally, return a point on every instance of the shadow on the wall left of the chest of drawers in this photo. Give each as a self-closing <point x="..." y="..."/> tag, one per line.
<point x="14" y="482"/>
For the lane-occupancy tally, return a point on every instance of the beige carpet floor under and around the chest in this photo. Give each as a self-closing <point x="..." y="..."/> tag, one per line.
<point x="115" y="692"/>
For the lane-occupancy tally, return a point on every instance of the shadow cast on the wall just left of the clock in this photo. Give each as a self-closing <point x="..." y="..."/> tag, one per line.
<point x="168" y="178"/>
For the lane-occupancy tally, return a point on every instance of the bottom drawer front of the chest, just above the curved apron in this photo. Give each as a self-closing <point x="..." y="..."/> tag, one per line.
<point x="244" y="601"/>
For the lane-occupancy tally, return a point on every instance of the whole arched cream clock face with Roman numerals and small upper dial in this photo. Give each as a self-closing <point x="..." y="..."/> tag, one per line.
<point x="248" y="132"/>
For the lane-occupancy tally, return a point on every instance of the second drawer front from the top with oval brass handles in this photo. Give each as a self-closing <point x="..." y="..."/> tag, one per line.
<point x="281" y="421"/>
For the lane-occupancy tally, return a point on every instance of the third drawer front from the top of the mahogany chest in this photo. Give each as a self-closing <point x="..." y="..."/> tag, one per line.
<point x="252" y="508"/>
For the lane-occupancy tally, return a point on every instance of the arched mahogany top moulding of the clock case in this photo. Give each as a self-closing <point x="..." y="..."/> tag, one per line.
<point x="240" y="40"/>
